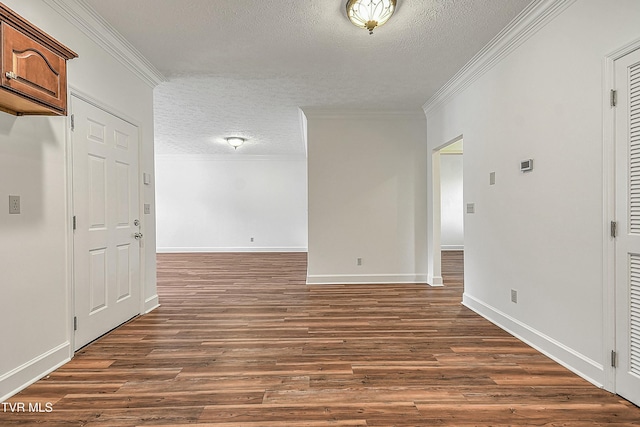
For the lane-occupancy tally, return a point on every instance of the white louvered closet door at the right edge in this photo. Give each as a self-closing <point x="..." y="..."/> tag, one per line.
<point x="627" y="75"/>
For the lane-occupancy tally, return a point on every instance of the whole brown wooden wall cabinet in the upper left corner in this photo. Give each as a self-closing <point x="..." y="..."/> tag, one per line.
<point x="33" y="79"/>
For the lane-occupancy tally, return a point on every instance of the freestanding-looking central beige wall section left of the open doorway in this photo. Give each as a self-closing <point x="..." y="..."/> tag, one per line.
<point x="367" y="187"/>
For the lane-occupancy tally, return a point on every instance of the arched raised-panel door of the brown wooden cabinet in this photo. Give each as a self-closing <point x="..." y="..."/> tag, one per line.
<point x="33" y="70"/>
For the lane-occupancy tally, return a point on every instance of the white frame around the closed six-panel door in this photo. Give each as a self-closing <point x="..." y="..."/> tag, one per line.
<point x="83" y="96"/>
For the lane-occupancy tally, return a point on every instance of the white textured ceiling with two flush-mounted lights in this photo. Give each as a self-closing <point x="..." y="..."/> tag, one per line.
<point x="245" y="67"/>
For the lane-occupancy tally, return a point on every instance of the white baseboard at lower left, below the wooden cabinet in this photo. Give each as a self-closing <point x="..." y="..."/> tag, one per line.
<point x="23" y="376"/>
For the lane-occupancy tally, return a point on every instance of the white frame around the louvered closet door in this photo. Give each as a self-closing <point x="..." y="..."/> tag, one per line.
<point x="609" y="213"/>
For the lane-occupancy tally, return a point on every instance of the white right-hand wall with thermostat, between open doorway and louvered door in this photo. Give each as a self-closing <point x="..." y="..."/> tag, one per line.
<point x="541" y="233"/>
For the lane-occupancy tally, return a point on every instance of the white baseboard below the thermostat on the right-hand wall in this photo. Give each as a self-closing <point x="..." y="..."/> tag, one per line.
<point x="576" y="362"/>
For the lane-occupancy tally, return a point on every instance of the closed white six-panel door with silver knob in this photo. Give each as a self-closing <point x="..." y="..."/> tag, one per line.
<point x="106" y="209"/>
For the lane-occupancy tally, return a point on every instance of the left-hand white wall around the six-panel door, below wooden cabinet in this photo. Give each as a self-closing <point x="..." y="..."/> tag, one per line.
<point x="35" y="310"/>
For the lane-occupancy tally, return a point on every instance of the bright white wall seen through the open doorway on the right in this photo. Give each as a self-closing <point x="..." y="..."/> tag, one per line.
<point x="451" y="192"/>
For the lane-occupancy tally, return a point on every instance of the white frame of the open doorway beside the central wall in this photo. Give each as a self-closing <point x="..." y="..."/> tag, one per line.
<point x="435" y="251"/>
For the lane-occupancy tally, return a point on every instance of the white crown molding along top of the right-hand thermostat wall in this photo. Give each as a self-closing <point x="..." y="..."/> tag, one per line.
<point x="534" y="17"/>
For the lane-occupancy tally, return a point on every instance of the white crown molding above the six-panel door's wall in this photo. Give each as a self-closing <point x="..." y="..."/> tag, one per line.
<point x="94" y="26"/>
